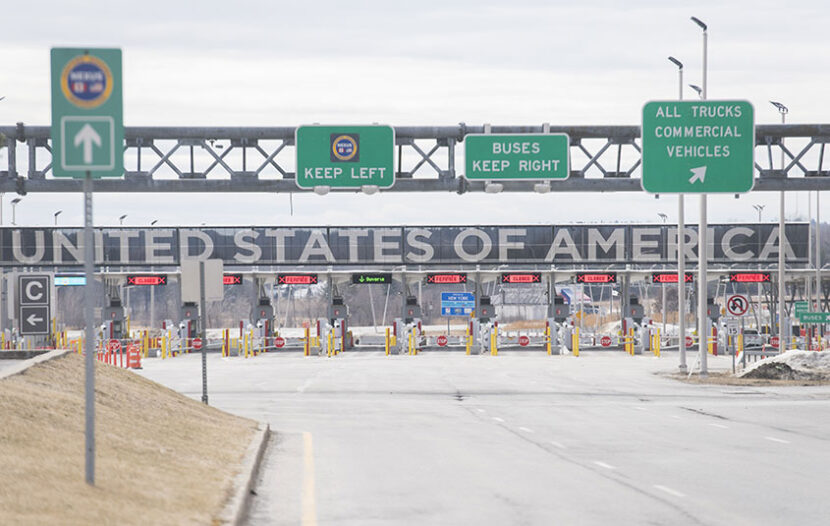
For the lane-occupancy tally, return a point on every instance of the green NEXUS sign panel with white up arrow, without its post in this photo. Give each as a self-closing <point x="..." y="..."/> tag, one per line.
<point x="87" y="113"/>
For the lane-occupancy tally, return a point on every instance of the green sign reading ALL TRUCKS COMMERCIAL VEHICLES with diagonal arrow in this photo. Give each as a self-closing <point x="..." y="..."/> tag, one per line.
<point x="698" y="146"/>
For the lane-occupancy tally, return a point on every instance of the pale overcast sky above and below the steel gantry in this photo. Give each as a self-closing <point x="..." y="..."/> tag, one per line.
<point x="212" y="63"/>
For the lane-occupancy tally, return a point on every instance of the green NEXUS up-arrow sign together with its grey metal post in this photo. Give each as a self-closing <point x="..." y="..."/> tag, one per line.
<point x="87" y="139"/>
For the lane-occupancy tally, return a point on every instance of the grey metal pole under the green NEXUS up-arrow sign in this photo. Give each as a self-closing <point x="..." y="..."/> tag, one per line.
<point x="89" y="315"/>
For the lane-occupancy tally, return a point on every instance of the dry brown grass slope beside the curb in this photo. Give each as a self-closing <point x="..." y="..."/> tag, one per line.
<point x="162" y="458"/>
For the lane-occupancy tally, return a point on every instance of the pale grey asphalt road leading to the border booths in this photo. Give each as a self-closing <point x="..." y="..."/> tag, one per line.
<point x="521" y="438"/>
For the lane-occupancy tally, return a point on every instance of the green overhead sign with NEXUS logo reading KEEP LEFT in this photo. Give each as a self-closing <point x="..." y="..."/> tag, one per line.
<point x="345" y="156"/>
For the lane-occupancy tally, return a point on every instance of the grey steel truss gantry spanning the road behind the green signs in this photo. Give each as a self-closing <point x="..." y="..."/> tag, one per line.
<point x="261" y="159"/>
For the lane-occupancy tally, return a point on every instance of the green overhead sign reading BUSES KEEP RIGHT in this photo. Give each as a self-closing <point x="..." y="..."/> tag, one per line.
<point x="516" y="156"/>
